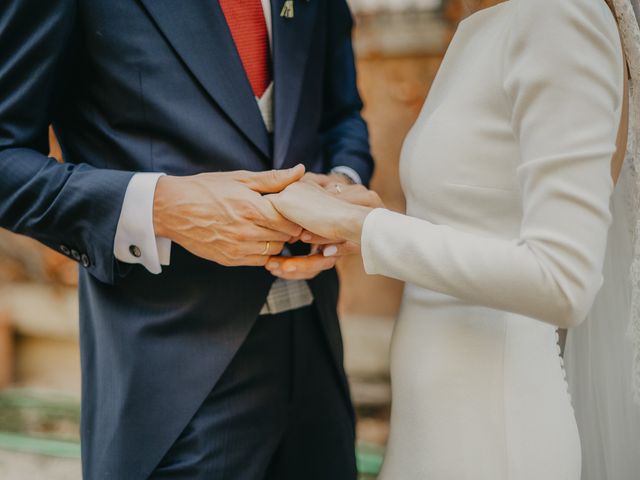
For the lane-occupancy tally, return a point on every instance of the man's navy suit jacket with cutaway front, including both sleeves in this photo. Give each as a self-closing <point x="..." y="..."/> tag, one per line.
<point x="157" y="85"/>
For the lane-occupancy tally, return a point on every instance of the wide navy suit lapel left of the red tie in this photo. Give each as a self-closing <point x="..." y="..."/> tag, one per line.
<point x="198" y="32"/>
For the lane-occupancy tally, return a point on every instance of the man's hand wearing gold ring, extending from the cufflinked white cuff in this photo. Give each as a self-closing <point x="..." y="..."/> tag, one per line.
<point x="223" y="217"/>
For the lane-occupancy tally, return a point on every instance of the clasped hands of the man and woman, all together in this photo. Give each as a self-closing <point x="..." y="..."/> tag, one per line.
<point x="246" y="218"/>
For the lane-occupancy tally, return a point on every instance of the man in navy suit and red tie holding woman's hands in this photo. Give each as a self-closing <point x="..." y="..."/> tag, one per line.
<point x="175" y="118"/>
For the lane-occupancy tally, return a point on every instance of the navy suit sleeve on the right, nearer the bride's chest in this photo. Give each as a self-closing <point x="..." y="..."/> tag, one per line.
<point x="345" y="134"/>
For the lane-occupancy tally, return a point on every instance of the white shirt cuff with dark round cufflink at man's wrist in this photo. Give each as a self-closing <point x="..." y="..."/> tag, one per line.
<point x="135" y="240"/>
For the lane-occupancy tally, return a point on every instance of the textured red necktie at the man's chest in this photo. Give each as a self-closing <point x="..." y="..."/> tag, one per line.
<point x="249" y="31"/>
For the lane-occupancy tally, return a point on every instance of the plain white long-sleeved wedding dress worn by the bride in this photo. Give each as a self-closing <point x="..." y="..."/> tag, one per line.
<point x="507" y="179"/>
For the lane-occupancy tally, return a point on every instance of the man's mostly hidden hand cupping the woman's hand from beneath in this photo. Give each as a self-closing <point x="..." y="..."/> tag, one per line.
<point x="325" y="253"/>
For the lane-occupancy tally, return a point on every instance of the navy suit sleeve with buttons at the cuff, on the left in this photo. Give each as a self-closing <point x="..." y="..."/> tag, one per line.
<point x="72" y="208"/>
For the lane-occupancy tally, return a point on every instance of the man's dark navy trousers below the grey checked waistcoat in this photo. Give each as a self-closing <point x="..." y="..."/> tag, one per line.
<point x="279" y="412"/>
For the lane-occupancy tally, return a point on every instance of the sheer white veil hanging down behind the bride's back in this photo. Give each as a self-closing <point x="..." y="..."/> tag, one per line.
<point x="602" y="356"/>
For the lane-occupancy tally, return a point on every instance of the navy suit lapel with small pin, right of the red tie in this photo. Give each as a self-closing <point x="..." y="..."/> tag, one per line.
<point x="291" y="41"/>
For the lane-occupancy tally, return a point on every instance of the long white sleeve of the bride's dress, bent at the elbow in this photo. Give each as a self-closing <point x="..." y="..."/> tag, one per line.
<point x="563" y="80"/>
